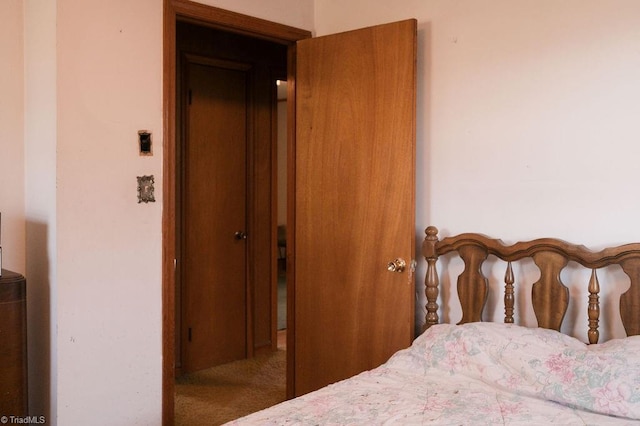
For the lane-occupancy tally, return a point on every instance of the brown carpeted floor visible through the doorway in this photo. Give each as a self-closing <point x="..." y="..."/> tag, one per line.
<point x="226" y="392"/>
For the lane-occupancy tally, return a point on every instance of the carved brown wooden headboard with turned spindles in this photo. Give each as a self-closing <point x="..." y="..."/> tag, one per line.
<point x="549" y="295"/>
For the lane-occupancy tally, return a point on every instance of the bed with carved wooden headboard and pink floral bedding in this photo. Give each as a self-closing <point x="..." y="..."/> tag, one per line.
<point x="477" y="372"/>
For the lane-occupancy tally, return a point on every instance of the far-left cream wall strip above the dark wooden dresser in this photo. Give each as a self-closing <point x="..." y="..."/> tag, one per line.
<point x="11" y="136"/>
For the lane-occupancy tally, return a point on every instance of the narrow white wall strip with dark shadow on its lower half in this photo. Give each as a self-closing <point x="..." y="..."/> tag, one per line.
<point x="40" y="114"/>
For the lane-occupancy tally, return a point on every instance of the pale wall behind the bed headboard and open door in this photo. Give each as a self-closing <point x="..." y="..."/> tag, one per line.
<point x="527" y="114"/>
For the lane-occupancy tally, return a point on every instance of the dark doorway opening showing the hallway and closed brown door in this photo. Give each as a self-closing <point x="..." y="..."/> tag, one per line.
<point x="228" y="129"/>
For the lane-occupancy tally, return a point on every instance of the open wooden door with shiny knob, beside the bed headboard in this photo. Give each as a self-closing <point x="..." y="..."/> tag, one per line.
<point x="353" y="210"/>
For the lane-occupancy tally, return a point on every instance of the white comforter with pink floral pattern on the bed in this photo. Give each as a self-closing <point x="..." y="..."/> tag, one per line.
<point x="481" y="374"/>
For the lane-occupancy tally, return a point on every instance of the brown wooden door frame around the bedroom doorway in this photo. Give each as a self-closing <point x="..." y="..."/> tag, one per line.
<point x="175" y="10"/>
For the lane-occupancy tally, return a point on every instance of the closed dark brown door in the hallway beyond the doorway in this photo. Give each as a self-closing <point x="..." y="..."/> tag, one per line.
<point x="214" y="196"/>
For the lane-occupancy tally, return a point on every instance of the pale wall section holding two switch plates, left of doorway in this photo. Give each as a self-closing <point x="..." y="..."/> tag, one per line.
<point x="109" y="83"/>
